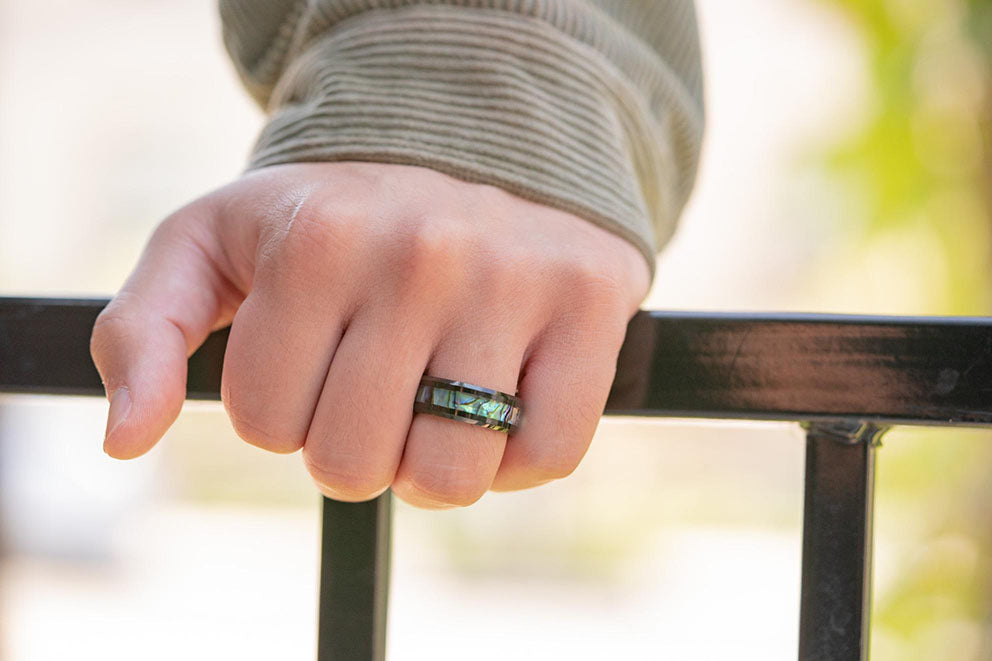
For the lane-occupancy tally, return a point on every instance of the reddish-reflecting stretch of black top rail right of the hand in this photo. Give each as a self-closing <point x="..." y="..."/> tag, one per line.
<point x="807" y="367"/>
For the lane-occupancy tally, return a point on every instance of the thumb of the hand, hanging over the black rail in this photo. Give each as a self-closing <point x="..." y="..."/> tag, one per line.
<point x="163" y="313"/>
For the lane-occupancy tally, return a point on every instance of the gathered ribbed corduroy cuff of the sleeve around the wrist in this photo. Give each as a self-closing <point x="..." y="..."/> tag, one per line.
<point x="529" y="108"/>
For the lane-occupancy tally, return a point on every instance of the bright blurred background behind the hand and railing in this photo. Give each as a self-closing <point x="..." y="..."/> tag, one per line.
<point x="847" y="168"/>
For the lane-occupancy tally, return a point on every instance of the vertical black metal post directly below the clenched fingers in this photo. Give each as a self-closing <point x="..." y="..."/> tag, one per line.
<point x="354" y="580"/>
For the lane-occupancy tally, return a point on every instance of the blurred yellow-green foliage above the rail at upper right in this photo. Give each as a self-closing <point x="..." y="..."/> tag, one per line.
<point x="923" y="155"/>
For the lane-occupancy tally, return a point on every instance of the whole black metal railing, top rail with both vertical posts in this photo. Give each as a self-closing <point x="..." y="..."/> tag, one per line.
<point x="846" y="379"/>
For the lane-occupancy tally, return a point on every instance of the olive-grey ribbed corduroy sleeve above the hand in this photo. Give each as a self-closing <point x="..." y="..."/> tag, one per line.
<point x="590" y="106"/>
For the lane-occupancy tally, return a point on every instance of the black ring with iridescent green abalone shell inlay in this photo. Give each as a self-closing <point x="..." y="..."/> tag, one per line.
<point x="475" y="405"/>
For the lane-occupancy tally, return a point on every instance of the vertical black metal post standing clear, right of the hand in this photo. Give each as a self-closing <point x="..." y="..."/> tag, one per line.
<point x="835" y="603"/>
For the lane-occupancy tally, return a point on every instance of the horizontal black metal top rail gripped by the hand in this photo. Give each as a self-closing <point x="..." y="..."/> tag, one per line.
<point x="886" y="370"/>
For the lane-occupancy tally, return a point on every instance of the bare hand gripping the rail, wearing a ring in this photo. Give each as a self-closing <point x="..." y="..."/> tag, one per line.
<point x="345" y="283"/>
